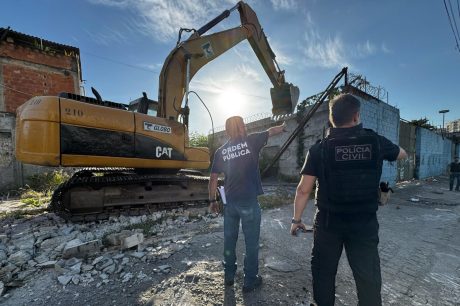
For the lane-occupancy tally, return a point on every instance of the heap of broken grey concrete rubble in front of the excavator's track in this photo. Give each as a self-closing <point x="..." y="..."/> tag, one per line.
<point x="89" y="253"/>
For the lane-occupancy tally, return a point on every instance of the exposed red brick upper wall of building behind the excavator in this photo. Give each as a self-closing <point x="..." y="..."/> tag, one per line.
<point x="29" y="72"/>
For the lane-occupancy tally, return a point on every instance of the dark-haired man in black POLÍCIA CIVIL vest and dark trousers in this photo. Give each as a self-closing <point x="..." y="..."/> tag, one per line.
<point x="347" y="165"/>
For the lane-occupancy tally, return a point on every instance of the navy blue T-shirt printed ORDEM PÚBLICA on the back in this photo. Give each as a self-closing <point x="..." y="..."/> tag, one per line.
<point x="239" y="161"/>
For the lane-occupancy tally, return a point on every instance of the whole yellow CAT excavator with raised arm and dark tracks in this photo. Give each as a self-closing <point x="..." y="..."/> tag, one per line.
<point x="137" y="151"/>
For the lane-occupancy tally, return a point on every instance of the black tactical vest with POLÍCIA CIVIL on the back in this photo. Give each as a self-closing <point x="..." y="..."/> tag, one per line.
<point x="352" y="167"/>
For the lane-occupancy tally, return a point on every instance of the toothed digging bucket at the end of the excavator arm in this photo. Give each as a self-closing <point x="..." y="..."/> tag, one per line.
<point x="284" y="99"/>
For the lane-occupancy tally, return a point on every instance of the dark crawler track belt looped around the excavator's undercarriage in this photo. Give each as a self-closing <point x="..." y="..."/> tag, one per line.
<point x="117" y="177"/>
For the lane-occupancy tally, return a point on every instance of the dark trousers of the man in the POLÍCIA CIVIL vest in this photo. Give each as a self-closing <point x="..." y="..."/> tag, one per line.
<point x="358" y="233"/>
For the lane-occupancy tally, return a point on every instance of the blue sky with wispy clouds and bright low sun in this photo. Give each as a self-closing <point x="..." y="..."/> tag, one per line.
<point x="407" y="47"/>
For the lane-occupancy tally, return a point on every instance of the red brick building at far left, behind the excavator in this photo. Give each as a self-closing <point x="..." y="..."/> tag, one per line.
<point x="29" y="66"/>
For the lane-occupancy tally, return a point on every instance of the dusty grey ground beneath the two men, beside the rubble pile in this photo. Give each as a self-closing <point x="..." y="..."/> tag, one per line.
<point x="419" y="248"/>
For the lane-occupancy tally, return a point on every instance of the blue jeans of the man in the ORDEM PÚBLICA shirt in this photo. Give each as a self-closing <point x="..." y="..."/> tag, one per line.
<point x="250" y="216"/>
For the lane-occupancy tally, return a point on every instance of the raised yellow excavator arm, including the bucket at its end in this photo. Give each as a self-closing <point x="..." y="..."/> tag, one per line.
<point x="190" y="55"/>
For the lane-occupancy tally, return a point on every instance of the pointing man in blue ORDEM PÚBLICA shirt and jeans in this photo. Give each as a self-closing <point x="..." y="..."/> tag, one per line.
<point x="238" y="159"/>
